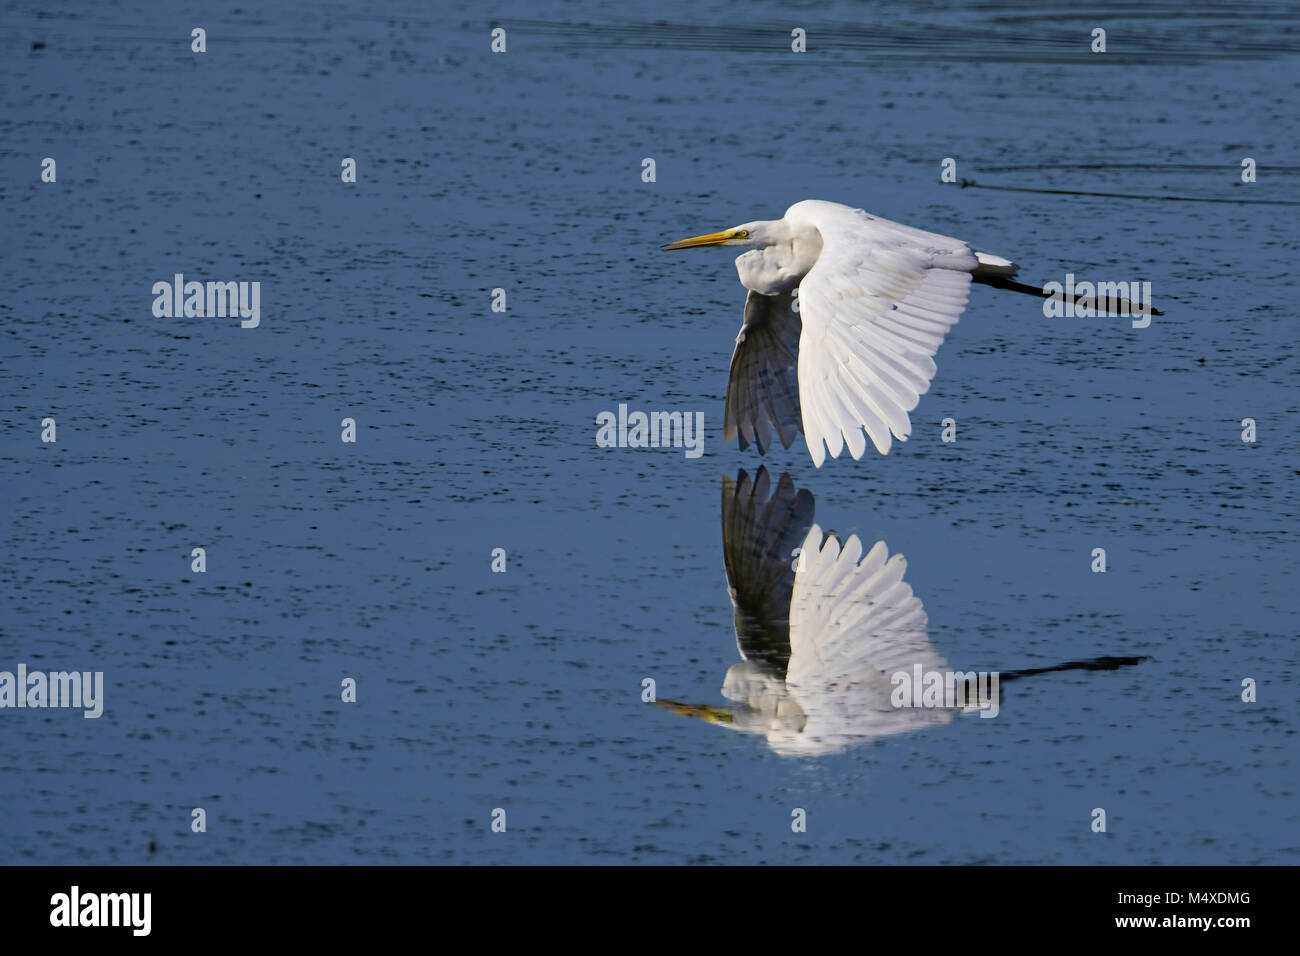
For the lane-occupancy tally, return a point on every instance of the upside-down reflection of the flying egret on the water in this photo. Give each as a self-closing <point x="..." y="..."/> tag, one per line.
<point x="821" y="628"/>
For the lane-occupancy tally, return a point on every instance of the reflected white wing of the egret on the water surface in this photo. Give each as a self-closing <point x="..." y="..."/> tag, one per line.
<point x="855" y="624"/>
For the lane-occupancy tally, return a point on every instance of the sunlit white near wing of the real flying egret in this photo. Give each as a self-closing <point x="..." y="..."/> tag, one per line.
<point x="876" y="309"/>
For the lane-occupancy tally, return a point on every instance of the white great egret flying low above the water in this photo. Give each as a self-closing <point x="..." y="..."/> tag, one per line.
<point x="856" y="352"/>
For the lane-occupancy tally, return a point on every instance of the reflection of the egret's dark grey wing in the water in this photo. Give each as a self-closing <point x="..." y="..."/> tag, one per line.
<point x="760" y="538"/>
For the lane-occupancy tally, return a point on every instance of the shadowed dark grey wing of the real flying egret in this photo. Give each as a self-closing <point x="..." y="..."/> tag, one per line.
<point x="764" y="388"/>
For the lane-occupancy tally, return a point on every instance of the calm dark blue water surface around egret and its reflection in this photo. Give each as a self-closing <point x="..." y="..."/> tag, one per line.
<point x="523" y="690"/>
